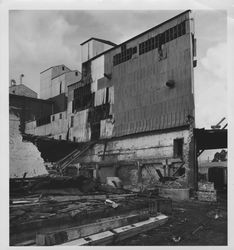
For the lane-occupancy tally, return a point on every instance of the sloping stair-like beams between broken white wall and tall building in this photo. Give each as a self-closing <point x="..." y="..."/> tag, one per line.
<point x="70" y="158"/>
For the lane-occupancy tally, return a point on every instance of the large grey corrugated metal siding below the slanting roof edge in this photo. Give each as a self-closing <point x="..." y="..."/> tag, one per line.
<point x="143" y="102"/>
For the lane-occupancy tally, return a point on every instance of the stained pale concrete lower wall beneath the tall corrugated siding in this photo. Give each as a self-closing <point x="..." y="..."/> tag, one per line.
<point x="154" y="151"/>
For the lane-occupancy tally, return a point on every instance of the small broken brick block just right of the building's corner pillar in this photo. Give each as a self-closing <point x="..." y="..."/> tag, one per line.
<point x="206" y="191"/>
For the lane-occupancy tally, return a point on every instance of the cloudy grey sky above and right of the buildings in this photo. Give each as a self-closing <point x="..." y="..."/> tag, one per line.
<point x="40" y="39"/>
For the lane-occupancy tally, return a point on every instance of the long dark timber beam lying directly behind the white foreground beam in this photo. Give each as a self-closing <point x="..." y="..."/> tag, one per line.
<point x="61" y="236"/>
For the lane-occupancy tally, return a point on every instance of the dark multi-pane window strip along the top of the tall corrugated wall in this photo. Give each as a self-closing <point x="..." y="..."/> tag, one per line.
<point x="151" y="43"/>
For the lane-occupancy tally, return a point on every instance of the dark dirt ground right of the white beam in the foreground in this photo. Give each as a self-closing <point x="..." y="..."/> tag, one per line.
<point x="191" y="223"/>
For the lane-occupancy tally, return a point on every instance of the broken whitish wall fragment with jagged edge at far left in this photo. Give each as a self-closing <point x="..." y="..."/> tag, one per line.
<point x="24" y="156"/>
